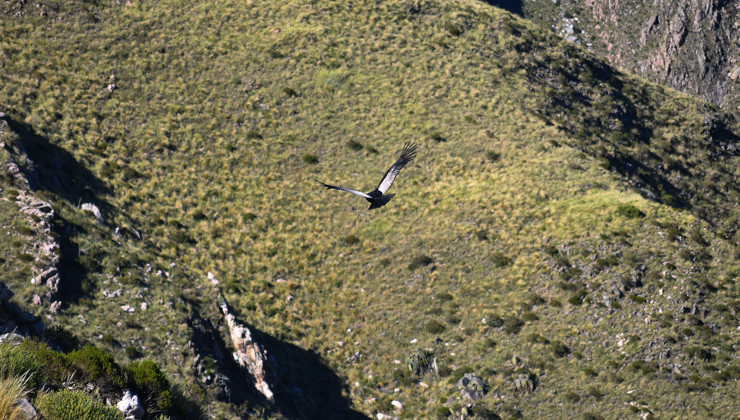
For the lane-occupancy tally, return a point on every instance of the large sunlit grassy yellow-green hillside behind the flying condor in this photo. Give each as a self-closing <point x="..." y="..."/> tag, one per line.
<point x="568" y="232"/>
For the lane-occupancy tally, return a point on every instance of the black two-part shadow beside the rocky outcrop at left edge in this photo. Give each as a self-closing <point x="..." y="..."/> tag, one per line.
<point x="56" y="170"/>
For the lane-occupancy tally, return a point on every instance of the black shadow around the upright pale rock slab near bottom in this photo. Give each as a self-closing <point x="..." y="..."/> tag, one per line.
<point x="303" y="386"/>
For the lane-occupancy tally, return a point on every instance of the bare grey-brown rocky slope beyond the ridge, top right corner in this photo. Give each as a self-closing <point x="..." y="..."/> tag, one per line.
<point x="690" y="45"/>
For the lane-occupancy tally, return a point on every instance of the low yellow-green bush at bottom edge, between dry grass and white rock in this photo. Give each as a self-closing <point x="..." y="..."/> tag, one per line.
<point x="74" y="405"/>
